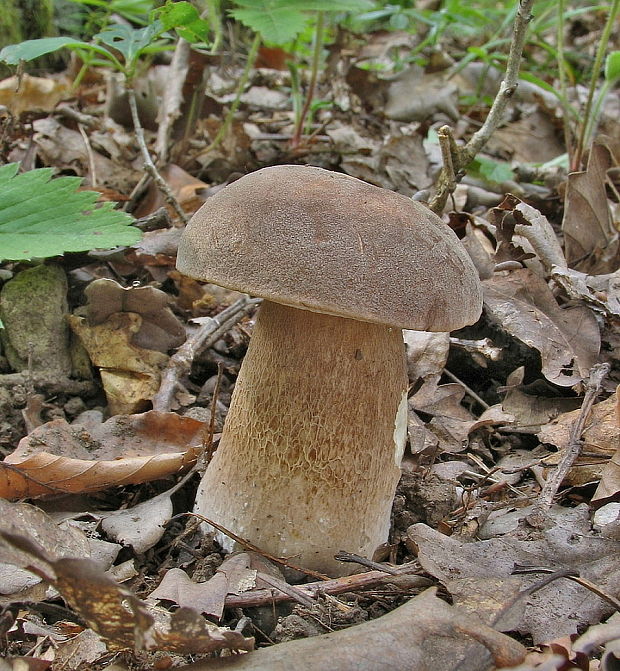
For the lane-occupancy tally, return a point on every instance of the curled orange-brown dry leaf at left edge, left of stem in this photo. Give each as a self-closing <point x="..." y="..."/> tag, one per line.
<point x="58" y="457"/>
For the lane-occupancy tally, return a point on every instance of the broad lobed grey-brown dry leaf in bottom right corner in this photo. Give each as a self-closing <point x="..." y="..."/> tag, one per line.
<point x="480" y="575"/>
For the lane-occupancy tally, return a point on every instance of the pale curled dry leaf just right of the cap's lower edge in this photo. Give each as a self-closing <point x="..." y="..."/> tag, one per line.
<point x="568" y="339"/>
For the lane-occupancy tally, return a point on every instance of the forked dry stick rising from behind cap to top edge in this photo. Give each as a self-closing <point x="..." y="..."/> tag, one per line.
<point x="463" y="156"/>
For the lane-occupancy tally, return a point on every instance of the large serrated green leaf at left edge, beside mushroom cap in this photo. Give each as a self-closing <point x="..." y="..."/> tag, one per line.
<point x="42" y="217"/>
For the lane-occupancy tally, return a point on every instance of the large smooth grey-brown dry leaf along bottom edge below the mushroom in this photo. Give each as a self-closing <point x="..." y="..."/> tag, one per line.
<point x="417" y="636"/>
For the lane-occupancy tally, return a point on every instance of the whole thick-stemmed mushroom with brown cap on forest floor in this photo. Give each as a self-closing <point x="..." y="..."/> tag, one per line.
<point x="310" y="453"/>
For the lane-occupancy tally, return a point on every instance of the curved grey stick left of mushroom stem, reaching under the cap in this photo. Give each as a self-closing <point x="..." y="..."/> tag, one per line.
<point x="181" y="362"/>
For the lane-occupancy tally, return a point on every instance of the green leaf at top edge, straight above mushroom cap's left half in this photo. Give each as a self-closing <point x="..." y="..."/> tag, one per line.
<point x="274" y="23"/>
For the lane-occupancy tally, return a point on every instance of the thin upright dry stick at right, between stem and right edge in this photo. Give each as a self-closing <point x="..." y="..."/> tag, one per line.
<point x="555" y="479"/>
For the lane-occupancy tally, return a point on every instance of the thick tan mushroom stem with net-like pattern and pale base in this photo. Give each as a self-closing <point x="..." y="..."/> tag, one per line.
<point x="309" y="458"/>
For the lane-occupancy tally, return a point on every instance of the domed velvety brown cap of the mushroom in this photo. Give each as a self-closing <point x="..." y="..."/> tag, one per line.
<point x="326" y="242"/>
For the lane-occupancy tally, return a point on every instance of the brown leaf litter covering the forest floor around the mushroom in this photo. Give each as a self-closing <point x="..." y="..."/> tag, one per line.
<point x="491" y="411"/>
